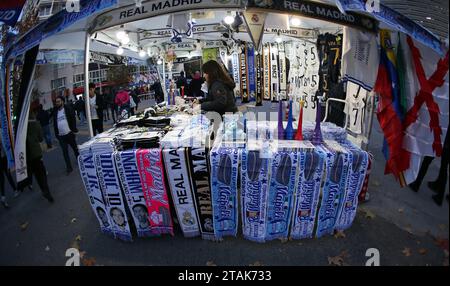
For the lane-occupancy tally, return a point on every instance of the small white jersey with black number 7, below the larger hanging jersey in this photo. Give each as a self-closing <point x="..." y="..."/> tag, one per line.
<point x="355" y="107"/>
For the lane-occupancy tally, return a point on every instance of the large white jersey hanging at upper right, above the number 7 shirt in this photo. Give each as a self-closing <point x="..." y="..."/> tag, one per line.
<point x="360" y="58"/>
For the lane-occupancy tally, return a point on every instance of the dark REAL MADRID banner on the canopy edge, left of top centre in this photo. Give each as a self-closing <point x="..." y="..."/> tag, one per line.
<point x="155" y="8"/>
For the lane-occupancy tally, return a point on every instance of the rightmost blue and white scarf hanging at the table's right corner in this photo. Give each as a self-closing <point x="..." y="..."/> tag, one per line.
<point x="356" y="175"/>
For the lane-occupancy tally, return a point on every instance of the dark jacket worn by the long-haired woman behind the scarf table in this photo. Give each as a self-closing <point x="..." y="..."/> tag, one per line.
<point x="220" y="99"/>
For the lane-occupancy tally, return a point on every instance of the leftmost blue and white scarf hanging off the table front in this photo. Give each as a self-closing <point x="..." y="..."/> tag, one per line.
<point x="89" y="176"/>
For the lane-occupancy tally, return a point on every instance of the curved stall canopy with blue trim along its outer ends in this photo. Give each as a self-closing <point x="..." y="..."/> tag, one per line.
<point x="96" y="16"/>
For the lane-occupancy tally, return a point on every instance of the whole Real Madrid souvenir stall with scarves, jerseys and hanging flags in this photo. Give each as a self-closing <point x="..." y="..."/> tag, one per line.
<point x="298" y="175"/>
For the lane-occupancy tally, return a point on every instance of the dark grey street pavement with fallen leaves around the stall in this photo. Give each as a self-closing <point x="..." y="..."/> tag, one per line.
<point x="406" y="228"/>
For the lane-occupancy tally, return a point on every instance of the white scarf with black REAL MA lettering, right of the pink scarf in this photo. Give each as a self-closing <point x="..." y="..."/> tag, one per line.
<point x="180" y="187"/>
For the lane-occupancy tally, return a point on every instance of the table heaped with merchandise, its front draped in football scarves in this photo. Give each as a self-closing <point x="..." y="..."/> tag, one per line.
<point x="140" y="178"/>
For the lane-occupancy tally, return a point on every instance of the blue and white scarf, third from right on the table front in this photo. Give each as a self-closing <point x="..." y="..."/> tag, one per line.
<point x="307" y="191"/>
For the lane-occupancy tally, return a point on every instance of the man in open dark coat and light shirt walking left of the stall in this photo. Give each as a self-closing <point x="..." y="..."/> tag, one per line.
<point x="65" y="125"/>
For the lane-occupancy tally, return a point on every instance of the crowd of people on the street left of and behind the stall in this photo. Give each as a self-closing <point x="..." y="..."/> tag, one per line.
<point x="109" y="103"/>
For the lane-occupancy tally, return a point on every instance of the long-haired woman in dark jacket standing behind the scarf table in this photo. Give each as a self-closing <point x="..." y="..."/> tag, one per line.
<point x="220" y="96"/>
